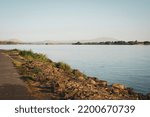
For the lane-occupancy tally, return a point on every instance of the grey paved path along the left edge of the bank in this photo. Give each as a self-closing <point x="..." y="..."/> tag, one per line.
<point x="11" y="87"/>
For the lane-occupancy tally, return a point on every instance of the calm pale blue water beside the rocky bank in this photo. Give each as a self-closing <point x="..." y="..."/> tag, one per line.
<point x="129" y="65"/>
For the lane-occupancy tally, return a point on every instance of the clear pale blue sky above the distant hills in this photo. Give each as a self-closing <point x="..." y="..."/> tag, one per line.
<point x="39" y="20"/>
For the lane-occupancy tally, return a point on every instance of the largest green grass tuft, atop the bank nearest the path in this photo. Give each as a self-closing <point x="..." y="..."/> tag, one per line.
<point x="33" y="56"/>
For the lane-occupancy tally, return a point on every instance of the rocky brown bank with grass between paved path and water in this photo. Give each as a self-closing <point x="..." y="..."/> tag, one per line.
<point x="58" y="81"/>
